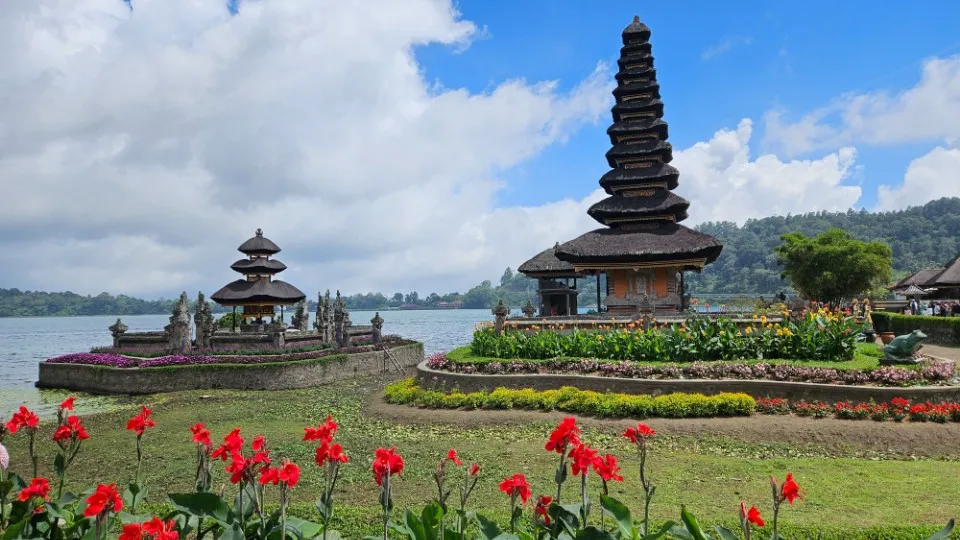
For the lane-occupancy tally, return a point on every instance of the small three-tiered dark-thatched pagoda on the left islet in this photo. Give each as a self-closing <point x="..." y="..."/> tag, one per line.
<point x="258" y="292"/>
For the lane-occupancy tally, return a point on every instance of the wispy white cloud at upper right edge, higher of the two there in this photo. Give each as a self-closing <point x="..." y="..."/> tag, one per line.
<point x="928" y="111"/>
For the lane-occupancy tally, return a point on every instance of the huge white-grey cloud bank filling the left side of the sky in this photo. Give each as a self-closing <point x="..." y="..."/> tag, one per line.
<point x="139" y="148"/>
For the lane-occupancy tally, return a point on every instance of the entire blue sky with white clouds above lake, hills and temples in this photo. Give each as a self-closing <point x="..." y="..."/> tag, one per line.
<point x="399" y="145"/>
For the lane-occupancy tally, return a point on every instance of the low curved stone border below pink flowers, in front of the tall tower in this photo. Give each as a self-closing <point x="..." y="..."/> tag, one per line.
<point x="472" y="382"/>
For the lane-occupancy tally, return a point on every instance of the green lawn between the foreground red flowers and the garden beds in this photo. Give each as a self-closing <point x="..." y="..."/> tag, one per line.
<point x="710" y="475"/>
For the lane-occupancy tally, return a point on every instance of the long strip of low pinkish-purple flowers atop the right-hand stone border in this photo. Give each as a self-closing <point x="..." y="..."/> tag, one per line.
<point x="931" y="372"/>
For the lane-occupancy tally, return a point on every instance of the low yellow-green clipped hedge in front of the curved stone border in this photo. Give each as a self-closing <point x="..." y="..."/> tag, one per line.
<point x="573" y="400"/>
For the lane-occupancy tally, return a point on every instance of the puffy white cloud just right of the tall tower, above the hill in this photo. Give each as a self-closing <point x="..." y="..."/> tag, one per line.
<point x="725" y="184"/>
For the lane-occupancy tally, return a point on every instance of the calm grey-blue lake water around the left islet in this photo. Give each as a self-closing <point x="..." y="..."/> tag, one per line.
<point x="26" y="341"/>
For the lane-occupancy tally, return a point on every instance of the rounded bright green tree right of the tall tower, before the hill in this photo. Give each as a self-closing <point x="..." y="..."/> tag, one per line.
<point x="833" y="265"/>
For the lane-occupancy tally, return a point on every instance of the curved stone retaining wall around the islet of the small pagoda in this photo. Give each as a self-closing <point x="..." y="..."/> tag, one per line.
<point x="268" y="376"/>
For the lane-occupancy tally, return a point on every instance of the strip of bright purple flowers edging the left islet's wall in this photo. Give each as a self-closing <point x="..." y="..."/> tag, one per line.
<point x="123" y="361"/>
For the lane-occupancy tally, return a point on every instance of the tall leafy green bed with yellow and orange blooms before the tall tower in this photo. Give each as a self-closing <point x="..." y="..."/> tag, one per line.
<point x="820" y="336"/>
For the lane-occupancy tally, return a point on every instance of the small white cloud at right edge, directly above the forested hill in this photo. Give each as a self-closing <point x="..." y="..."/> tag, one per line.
<point x="932" y="176"/>
